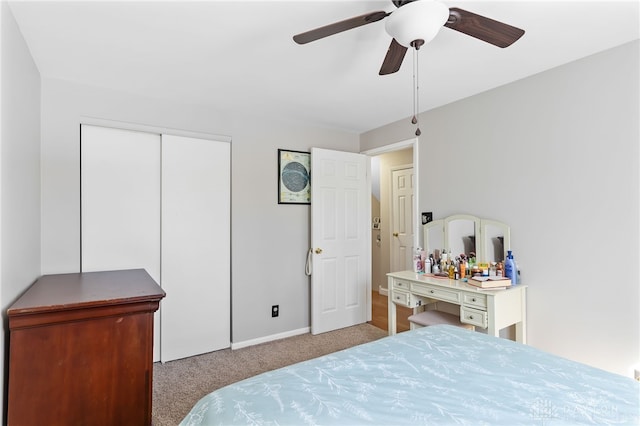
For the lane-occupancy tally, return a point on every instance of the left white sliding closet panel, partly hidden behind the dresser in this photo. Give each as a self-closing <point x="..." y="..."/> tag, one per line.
<point x="120" y="203"/>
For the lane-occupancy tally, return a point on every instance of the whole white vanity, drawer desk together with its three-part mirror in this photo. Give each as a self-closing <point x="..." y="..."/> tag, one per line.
<point x="492" y="310"/>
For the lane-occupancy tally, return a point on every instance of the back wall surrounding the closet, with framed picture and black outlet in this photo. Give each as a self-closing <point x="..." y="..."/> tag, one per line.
<point x="269" y="241"/>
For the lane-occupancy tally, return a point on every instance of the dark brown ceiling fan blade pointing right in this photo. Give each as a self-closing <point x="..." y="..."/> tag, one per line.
<point x="482" y="28"/>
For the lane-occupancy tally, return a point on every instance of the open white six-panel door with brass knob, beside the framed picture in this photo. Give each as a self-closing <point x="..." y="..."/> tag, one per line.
<point x="340" y="240"/>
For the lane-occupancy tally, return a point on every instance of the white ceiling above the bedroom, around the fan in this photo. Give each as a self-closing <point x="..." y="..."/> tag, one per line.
<point x="239" y="56"/>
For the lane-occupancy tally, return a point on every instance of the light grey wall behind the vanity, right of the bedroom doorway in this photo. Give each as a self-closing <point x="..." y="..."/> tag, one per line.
<point x="556" y="156"/>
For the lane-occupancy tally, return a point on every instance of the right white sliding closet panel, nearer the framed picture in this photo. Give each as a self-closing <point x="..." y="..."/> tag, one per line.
<point x="196" y="225"/>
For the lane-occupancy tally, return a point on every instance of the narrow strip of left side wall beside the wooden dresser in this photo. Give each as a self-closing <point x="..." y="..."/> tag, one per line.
<point x="19" y="171"/>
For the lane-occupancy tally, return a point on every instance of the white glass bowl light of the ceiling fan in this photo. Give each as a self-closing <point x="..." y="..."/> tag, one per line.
<point x="418" y="20"/>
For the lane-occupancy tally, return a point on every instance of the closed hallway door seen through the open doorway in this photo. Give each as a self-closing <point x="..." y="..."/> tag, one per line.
<point x="402" y="208"/>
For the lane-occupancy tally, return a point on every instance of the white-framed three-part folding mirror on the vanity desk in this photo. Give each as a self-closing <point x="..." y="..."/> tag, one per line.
<point x="488" y="239"/>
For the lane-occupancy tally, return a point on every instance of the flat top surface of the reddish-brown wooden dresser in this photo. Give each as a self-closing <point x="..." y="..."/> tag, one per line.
<point x="88" y="289"/>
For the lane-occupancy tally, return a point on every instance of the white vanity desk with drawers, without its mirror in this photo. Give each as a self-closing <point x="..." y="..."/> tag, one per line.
<point x="489" y="309"/>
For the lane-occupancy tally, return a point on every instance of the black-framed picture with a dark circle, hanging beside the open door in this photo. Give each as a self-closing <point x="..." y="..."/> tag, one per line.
<point x="294" y="177"/>
